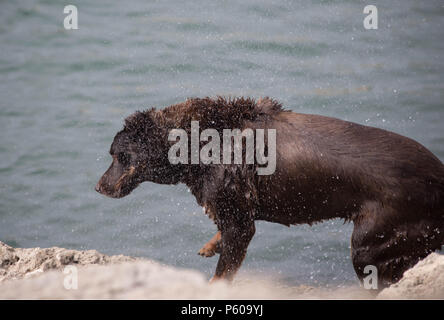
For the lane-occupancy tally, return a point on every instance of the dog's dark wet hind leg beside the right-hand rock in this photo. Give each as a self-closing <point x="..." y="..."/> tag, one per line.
<point x="390" y="244"/>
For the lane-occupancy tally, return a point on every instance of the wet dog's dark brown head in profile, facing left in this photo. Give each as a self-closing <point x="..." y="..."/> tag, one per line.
<point x="139" y="153"/>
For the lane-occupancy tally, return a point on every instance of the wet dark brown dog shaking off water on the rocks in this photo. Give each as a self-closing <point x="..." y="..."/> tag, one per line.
<point x="389" y="186"/>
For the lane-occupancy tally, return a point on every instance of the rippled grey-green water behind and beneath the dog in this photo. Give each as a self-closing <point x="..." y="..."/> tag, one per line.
<point x="64" y="95"/>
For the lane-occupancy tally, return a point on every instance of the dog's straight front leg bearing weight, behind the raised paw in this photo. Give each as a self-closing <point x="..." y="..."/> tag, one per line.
<point x="235" y="239"/>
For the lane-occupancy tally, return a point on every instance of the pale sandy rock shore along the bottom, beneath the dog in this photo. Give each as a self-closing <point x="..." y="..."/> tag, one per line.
<point x="57" y="273"/>
